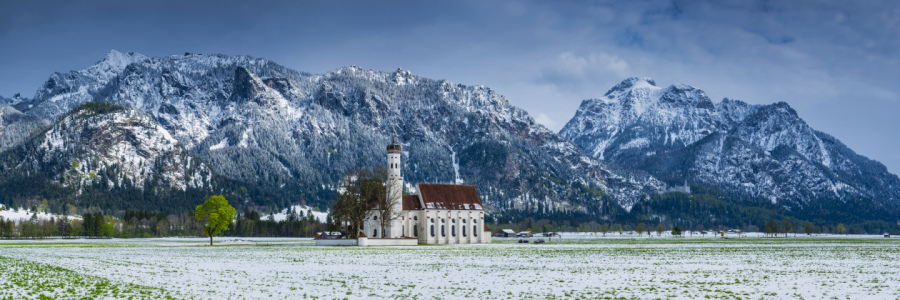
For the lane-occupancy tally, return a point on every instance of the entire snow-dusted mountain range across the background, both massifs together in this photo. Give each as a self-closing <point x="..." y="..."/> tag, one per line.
<point x="172" y="129"/>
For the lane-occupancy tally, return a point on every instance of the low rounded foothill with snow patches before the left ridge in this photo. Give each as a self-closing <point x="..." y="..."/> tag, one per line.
<point x="113" y="146"/>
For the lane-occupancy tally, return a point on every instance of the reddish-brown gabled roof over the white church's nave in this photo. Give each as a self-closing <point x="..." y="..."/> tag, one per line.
<point x="449" y="196"/>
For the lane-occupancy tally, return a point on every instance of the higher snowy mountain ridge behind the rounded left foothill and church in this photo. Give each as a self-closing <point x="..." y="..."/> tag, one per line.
<point x="257" y="122"/>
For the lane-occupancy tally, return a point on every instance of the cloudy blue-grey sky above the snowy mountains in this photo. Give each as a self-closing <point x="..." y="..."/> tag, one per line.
<point x="835" y="62"/>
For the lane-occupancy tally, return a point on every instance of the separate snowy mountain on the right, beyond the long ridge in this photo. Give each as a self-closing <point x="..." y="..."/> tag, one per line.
<point x="756" y="151"/>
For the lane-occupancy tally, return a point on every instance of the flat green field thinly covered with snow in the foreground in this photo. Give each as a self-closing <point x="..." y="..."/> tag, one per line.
<point x="583" y="267"/>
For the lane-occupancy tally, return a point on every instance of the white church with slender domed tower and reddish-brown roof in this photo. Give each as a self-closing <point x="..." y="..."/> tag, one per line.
<point x="437" y="214"/>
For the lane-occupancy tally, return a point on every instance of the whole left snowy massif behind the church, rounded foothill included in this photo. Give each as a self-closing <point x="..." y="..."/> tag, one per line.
<point x="288" y="135"/>
